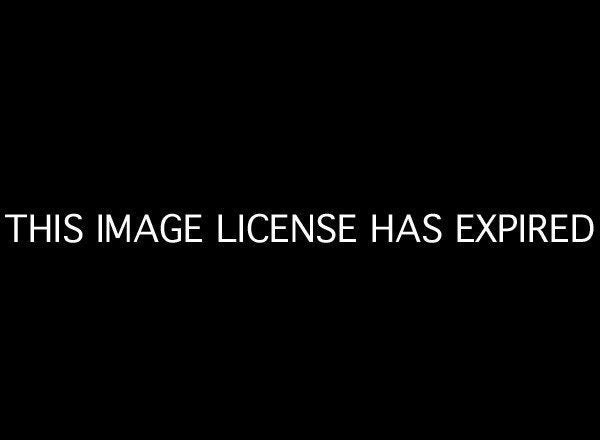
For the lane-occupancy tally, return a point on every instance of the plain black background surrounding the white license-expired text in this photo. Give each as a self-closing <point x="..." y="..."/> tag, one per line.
<point x="368" y="113"/>
